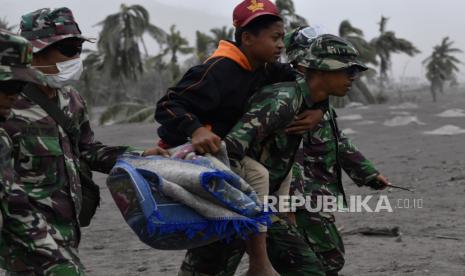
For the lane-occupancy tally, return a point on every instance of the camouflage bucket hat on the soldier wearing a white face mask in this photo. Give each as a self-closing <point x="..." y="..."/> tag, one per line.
<point x="45" y="26"/>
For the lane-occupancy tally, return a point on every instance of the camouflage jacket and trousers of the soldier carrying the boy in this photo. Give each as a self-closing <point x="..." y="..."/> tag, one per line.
<point x="260" y="132"/>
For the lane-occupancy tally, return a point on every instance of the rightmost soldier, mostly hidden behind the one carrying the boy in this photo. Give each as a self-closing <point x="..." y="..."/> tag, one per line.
<point x="324" y="152"/>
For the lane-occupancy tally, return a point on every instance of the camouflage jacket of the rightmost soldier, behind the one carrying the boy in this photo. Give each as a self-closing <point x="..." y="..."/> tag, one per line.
<point x="324" y="149"/>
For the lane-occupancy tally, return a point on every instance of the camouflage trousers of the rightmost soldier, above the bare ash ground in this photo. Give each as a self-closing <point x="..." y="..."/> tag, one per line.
<point x="320" y="232"/>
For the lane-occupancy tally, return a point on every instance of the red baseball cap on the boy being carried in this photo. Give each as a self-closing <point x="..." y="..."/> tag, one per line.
<point x="251" y="9"/>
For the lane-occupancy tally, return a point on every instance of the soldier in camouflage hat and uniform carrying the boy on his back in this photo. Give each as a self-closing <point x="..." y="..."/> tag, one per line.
<point x="261" y="135"/>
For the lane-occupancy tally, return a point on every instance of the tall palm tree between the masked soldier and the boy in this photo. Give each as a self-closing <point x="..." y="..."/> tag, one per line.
<point x="120" y="57"/>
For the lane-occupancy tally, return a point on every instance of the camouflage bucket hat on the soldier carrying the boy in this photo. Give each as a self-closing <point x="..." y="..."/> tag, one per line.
<point x="311" y="49"/>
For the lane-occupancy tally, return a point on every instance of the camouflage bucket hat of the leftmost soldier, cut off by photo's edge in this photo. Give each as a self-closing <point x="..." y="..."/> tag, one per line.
<point x="16" y="58"/>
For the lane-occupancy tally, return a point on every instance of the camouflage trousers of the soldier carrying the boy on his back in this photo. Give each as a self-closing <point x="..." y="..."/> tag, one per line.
<point x="287" y="251"/>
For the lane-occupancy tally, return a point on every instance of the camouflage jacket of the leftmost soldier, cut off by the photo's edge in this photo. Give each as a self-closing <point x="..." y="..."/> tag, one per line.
<point x="24" y="227"/>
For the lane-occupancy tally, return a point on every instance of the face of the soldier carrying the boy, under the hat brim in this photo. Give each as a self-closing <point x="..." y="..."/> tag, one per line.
<point x="337" y="83"/>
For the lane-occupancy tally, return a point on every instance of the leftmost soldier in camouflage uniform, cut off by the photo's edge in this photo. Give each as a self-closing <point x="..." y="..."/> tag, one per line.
<point x="24" y="226"/>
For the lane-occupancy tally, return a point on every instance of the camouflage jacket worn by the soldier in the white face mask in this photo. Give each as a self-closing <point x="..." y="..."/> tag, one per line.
<point x="46" y="165"/>
